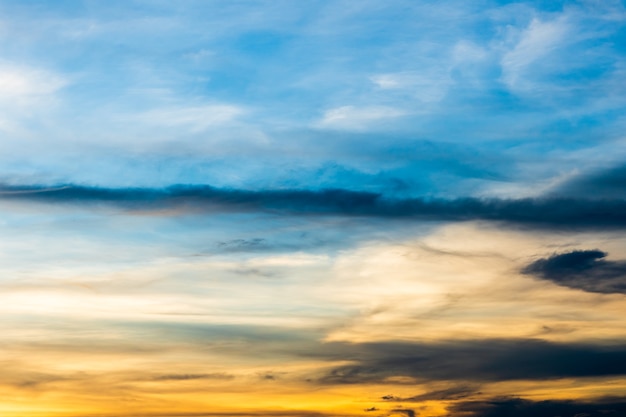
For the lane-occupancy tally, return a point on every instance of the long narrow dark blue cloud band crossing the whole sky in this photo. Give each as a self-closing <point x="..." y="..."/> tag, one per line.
<point x="540" y="212"/>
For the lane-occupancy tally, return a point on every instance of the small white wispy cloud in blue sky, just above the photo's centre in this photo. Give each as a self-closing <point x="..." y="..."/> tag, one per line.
<point x="351" y="117"/>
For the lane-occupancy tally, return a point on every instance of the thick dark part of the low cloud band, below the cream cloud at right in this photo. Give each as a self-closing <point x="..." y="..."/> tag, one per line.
<point x="472" y="360"/>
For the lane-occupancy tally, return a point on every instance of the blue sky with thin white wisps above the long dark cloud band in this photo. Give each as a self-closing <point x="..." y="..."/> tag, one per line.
<point x="432" y="98"/>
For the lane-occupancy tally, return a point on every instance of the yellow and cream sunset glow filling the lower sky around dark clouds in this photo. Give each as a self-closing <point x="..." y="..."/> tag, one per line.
<point x="460" y="282"/>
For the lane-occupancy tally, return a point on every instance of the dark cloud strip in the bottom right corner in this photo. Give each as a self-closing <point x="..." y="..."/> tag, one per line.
<point x="517" y="407"/>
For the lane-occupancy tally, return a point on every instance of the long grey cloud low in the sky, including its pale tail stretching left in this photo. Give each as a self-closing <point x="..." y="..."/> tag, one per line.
<point x="468" y="362"/>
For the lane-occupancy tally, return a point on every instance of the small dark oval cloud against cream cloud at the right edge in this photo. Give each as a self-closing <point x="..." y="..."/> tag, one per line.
<point x="582" y="269"/>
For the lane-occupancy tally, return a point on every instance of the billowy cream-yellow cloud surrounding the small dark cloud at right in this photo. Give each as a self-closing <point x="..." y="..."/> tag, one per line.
<point x="439" y="288"/>
